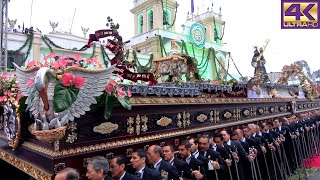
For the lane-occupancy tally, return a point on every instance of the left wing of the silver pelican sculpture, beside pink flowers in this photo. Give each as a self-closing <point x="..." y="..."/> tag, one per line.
<point x="23" y="76"/>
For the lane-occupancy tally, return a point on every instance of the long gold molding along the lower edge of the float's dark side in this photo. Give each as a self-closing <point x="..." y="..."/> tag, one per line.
<point x="136" y="140"/>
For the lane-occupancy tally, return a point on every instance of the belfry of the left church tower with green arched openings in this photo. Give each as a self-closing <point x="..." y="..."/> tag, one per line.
<point x="153" y="14"/>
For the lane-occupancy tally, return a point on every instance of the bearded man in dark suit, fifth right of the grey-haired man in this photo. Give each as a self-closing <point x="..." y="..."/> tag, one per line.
<point x="195" y="166"/>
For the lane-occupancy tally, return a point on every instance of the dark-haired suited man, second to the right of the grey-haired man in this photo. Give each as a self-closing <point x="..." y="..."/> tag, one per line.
<point x="138" y="162"/>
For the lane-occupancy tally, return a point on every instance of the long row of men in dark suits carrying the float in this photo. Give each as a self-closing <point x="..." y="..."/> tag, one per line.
<point x="272" y="149"/>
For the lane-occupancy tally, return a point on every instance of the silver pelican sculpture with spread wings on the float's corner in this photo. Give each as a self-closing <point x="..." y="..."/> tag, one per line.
<point x="40" y="93"/>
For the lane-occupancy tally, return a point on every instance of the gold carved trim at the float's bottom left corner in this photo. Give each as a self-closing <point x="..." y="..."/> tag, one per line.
<point x="28" y="168"/>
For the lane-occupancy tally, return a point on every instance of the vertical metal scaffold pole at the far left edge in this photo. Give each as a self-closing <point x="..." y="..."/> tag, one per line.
<point x="4" y="35"/>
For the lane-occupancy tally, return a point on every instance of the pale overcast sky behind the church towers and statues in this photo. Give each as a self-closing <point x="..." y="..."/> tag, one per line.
<point x="248" y="23"/>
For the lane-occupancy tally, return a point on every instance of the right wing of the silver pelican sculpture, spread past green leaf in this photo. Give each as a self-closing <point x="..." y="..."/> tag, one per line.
<point x="95" y="82"/>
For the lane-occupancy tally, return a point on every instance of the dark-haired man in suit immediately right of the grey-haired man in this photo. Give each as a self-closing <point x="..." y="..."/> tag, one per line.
<point x="117" y="169"/>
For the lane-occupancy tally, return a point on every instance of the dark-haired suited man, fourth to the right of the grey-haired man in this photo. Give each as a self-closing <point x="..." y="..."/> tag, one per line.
<point x="168" y="155"/>
